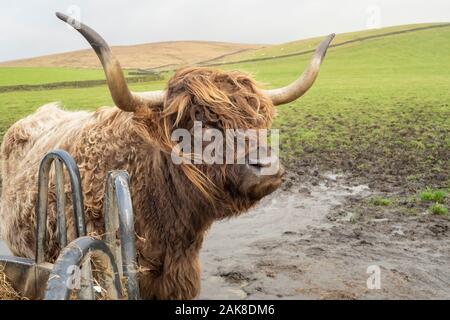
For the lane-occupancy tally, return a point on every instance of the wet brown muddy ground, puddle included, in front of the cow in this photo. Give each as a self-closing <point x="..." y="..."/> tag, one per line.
<point x="317" y="239"/>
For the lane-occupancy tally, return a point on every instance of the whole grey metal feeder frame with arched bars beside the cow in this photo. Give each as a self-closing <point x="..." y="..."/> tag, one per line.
<point x="32" y="276"/>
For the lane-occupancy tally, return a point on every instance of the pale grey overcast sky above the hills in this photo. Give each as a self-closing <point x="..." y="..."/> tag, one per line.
<point x="29" y="28"/>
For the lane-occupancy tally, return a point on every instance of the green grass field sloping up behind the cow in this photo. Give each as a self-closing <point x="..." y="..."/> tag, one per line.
<point x="380" y="108"/>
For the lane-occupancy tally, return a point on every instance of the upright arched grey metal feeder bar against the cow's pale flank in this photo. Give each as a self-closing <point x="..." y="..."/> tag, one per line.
<point x="41" y="209"/>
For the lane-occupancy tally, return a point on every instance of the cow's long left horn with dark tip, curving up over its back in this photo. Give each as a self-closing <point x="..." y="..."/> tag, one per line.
<point x="122" y="96"/>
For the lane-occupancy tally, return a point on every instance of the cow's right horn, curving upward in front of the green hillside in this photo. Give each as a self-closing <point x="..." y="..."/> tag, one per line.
<point x="299" y="87"/>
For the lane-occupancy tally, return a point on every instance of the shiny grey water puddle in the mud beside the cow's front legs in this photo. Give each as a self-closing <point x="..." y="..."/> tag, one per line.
<point x="233" y="250"/>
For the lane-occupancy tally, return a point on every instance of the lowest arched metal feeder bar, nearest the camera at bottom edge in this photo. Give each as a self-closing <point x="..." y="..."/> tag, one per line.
<point x="60" y="283"/>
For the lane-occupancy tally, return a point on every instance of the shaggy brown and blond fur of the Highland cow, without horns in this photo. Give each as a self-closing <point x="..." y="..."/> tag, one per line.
<point x="171" y="216"/>
